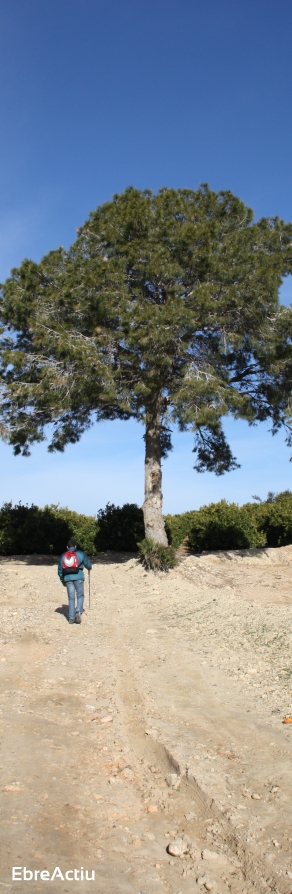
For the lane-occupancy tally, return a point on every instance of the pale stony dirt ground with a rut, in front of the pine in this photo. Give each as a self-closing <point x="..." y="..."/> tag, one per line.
<point x="185" y="677"/>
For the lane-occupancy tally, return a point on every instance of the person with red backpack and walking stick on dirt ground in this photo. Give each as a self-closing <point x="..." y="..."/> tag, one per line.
<point x="70" y="571"/>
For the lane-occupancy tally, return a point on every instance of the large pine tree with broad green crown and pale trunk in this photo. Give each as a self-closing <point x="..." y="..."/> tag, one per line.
<point x="166" y="310"/>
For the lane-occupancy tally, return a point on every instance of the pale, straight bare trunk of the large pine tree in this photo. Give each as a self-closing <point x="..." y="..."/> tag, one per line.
<point x="152" y="506"/>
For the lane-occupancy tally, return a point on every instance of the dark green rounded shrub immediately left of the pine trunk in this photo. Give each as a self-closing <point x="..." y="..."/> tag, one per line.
<point x="119" y="528"/>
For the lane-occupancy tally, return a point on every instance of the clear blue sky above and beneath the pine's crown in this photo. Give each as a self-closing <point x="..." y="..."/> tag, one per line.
<point x="101" y="94"/>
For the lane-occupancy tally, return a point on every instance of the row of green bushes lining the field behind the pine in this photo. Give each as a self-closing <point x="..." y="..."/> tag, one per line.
<point x="28" y="529"/>
